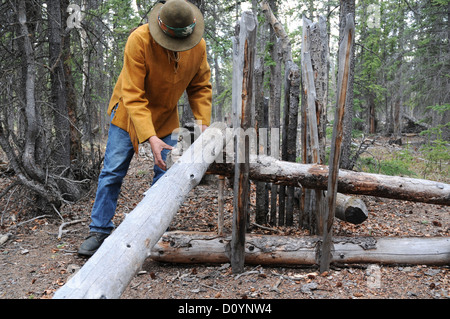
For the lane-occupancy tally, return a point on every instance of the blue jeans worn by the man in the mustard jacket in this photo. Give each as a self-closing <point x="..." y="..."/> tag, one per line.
<point x="118" y="155"/>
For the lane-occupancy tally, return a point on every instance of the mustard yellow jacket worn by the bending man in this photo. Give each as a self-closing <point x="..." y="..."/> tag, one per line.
<point x="151" y="83"/>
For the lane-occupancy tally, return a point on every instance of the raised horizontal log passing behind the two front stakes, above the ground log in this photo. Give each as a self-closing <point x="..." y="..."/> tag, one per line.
<point x="267" y="169"/>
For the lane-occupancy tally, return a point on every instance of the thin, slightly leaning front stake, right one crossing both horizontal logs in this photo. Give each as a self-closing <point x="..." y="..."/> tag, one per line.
<point x="345" y="50"/>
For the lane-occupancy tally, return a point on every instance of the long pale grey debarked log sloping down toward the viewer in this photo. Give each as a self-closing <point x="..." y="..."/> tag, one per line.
<point x="108" y="272"/>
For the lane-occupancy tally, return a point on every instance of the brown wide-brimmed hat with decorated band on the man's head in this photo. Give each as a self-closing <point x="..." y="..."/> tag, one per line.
<point x="176" y="25"/>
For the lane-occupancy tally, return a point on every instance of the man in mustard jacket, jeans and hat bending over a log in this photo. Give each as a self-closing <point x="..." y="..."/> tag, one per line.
<point x="162" y="59"/>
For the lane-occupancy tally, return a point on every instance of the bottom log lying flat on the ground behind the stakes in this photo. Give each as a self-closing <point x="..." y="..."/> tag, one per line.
<point x="198" y="247"/>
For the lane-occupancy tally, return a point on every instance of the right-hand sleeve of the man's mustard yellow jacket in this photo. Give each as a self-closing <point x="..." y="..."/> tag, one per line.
<point x="200" y="92"/>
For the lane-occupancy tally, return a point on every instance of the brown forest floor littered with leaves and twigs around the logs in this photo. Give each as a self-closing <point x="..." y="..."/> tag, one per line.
<point x="34" y="263"/>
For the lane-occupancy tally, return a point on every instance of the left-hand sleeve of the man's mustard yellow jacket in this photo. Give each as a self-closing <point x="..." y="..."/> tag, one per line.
<point x="133" y="89"/>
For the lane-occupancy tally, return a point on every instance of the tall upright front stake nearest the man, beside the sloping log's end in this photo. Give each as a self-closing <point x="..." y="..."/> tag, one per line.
<point x="243" y="65"/>
